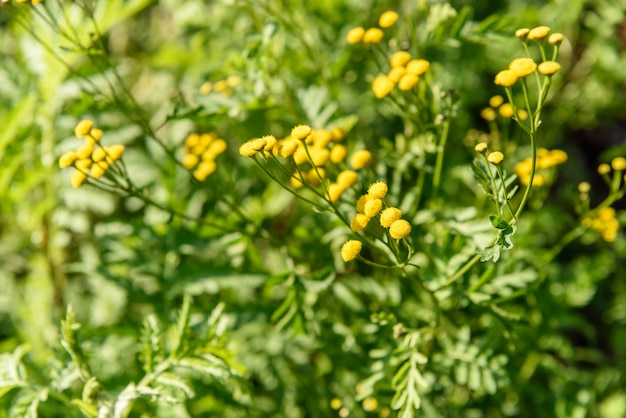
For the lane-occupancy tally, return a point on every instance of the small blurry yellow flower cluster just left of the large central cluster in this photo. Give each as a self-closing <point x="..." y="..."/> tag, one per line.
<point x="200" y="152"/>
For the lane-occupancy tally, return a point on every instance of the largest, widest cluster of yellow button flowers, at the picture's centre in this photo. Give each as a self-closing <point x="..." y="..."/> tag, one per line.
<point x="311" y="151"/>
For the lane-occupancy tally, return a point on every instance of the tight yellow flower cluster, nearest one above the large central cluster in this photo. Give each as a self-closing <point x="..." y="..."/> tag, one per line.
<point x="405" y="73"/>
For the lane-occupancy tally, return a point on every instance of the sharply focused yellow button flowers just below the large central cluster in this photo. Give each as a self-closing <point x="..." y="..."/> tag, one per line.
<point x="369" y="206"/>
